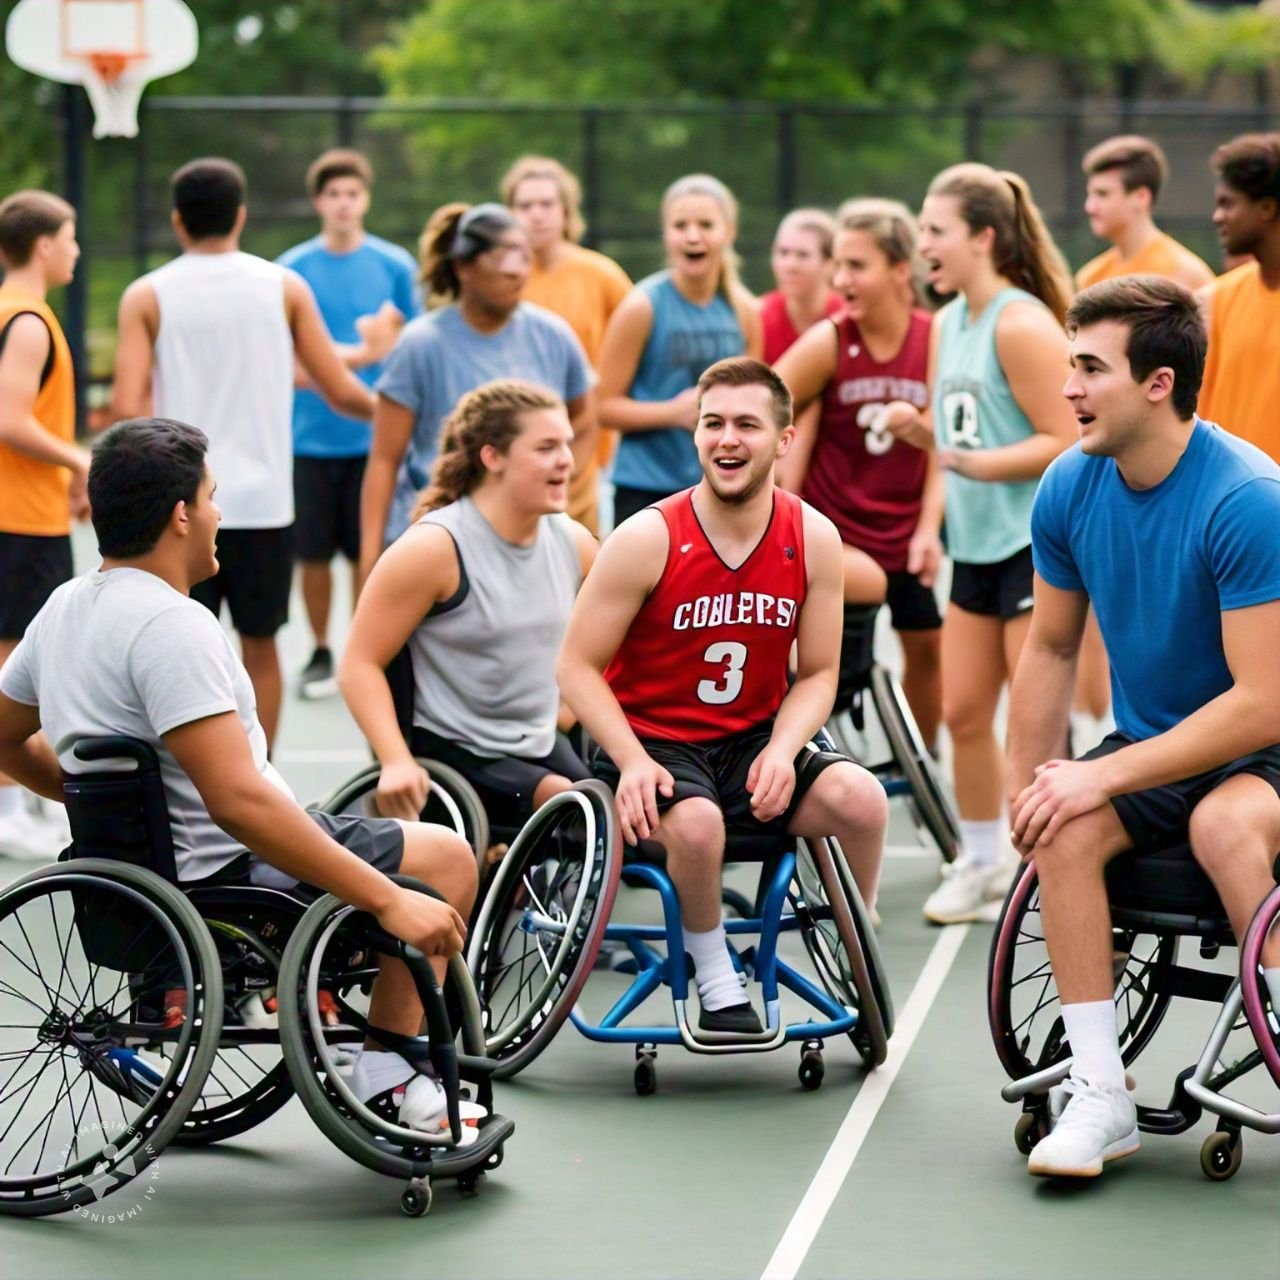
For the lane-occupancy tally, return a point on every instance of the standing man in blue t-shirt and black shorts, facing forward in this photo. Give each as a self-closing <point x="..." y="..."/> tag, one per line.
<point x="364" y="287"/>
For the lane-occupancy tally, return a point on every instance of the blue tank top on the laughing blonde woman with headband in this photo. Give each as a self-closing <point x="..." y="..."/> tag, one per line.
<point x="684" y="341"/>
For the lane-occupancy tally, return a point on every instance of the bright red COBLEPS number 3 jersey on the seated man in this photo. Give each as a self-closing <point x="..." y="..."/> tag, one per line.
<point x="707" y="655"/>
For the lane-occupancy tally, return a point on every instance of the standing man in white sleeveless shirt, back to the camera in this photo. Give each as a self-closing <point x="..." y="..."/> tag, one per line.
<point x="213" y="336"/>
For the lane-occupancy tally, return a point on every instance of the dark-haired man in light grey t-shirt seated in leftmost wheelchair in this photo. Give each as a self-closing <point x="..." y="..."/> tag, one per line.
<point x="124" y="651"/>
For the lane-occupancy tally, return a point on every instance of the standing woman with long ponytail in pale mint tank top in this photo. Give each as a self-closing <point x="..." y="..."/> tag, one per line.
<point x="998" y="363"/>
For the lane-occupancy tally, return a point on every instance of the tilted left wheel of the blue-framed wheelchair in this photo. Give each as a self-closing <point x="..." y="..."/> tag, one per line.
<point x="542" y="924"/>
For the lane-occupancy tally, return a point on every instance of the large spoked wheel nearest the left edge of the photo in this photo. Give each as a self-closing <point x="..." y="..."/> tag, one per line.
<point x="111" y="1008"/>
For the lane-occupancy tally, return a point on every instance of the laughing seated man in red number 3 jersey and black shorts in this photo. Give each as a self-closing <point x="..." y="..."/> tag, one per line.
<point x="676" y="662"/>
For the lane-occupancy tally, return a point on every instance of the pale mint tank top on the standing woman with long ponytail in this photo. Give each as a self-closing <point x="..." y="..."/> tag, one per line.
<point x="973" y="409"/>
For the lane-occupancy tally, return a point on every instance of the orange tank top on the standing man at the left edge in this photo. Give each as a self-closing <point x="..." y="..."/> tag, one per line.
<point x="34" y="495"/>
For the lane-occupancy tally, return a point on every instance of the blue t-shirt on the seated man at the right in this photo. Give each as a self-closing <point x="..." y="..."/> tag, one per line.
<point x="1162" y="565"/>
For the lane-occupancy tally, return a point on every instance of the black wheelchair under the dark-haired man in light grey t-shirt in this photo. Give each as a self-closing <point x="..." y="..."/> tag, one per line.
<point x="134" y="1012"/>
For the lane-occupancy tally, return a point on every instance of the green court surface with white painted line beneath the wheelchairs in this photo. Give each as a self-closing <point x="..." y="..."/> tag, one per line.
<point x="730" y="1169"/>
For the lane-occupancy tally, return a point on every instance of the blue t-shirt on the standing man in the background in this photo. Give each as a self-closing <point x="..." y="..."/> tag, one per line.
<point x="346" y="286"/>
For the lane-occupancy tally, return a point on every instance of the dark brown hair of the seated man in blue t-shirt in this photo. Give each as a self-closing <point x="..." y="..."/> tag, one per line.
<point x="1167" y="330"/>
